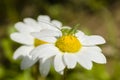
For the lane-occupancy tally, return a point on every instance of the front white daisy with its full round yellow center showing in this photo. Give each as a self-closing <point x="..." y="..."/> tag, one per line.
<point x="70" y="47"/>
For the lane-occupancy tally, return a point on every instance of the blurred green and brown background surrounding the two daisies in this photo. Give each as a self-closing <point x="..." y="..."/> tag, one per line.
<point x="100" y="17"/>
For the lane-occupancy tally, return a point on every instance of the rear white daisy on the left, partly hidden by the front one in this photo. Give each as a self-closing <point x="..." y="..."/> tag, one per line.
<point x="24" y="37"/>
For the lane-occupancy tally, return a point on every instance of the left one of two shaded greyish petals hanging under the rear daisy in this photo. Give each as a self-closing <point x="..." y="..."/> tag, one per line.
<point x="28" y="62"/>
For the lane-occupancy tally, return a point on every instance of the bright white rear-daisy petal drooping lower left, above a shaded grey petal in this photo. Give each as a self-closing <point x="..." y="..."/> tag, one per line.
<point x="22" y="51"/>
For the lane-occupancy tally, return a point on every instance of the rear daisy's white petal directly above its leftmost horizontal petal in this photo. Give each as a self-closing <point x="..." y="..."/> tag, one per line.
<point x="21" y="27"/>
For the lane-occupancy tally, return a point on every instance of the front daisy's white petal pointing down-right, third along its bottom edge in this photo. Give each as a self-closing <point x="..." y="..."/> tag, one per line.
<point x="84" y="61"/>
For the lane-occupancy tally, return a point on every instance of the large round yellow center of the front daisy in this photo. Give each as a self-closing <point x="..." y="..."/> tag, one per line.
<point x="68" y="43"/>
